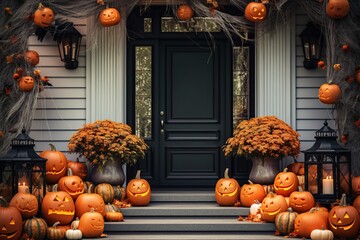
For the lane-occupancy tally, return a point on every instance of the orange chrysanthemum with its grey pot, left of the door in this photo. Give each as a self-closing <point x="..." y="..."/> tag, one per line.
<point x="107" y="145"/>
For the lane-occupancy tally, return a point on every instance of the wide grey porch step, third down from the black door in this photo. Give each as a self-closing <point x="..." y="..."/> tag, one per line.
<point x="182" y="224"/>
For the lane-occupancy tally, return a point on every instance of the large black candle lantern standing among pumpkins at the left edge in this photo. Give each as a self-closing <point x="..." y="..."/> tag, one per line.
<point x="22" y="169"/>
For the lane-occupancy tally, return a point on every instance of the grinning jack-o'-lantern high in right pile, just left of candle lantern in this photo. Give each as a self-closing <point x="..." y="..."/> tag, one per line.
<point x="285" y="183"/>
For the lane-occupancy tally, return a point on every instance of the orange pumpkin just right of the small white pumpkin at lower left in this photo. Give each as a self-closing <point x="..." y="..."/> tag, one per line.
<point x="91" y="224"/>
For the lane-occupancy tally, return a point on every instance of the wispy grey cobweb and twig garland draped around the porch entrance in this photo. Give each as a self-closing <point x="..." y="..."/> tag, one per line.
<point x="16" y="25"/>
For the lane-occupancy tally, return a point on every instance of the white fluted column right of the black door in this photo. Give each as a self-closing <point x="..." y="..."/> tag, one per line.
<point x="275" y="73"/>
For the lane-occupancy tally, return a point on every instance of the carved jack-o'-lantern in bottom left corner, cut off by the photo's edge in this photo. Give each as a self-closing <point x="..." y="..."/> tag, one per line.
<point x="11" y="223"/>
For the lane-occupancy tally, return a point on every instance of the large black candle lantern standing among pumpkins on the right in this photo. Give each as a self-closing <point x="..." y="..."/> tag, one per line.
<point x="327" y="167"/>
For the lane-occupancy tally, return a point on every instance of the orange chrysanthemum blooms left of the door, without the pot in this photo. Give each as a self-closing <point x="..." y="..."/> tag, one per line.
<point x="105" y="140"/>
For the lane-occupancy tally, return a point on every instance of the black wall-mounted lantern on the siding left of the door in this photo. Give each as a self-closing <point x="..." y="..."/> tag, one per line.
<point x="69" y="41"/>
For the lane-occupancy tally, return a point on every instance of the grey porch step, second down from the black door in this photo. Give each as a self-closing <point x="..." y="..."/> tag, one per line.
<point x="194" y="209"/>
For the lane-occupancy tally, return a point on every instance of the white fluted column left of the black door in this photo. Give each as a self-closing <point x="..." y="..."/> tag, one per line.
<point x="106" y="72"/>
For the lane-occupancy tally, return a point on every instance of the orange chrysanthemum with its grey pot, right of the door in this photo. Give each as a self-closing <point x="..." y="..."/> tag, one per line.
<point x="264" y="140"/>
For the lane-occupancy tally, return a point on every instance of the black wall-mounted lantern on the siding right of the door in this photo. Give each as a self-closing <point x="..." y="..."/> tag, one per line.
<point x="312" y="44"/>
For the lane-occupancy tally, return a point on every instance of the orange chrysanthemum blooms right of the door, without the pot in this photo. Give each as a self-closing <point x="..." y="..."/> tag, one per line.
<point x="265" y="137"/>
